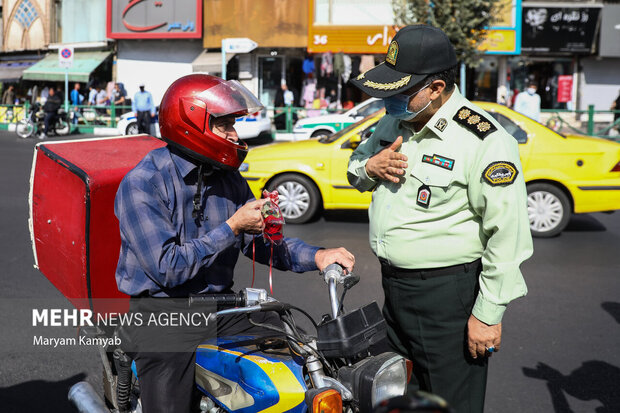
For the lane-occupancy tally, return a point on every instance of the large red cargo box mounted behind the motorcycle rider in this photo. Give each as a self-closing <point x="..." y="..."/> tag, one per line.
<point x="75" y="235"/>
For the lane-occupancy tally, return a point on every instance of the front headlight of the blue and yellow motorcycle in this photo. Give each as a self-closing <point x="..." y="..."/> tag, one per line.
<point x="376" y="379"/>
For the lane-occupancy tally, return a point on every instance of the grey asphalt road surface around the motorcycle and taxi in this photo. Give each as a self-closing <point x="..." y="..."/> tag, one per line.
<point x="560" y="343"/>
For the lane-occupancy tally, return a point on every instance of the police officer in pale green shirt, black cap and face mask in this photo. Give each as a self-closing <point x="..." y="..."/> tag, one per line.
<point x="448" y="218"/>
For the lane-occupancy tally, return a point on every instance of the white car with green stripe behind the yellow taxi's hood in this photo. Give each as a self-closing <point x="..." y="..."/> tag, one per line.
<point x="329" y="124"/>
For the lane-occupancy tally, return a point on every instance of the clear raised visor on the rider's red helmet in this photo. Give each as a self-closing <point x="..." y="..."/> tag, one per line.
<point x="230" y="98"/>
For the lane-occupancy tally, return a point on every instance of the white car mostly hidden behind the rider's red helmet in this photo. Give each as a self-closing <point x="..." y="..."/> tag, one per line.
<point x="255" y="127"/>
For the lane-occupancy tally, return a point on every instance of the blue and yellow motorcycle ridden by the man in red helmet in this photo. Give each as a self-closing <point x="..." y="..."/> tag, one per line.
<point x="331" y="370"/>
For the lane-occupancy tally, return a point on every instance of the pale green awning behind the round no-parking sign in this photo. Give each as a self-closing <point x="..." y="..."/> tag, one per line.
<point x="49" y="69"/>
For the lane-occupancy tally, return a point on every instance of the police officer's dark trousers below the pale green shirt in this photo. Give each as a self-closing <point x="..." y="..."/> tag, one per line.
<point x="427" y="320"/>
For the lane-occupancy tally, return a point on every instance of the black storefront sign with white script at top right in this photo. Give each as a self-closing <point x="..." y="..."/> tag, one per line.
<point x="559" y="29"/>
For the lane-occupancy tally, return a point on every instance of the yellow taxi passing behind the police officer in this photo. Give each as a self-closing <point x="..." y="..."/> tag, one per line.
<point x="564" y="174"/>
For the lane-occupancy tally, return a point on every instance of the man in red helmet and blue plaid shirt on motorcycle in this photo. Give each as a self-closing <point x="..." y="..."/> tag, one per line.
<point x="185" y="212"/>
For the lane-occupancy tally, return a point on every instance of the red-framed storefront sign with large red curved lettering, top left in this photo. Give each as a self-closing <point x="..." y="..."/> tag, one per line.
<point x="141" y="19"/>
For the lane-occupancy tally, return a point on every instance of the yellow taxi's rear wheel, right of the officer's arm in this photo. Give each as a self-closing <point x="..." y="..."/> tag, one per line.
<point x="548" y="209"/>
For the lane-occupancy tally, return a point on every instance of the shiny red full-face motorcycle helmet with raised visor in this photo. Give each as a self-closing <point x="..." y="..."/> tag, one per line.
<point x="188" y="108"/>
